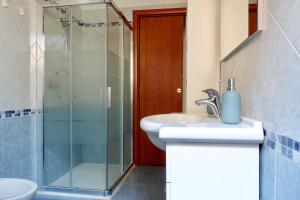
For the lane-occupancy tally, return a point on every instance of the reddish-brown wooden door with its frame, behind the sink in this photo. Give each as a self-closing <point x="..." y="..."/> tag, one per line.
<point x="159" y="41"/>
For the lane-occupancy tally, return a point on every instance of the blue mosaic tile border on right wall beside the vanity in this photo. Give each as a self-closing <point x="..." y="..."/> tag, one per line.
<point x="286" y="146"/>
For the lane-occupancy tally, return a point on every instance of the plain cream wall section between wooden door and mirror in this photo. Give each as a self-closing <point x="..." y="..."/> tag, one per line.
<point x="203" y="51"/>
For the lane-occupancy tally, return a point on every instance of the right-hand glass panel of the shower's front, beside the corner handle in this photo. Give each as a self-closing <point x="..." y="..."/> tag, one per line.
<point x="89" y="92"/>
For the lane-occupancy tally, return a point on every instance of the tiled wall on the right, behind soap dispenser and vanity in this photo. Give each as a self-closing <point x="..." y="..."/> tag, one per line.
<point x="267" y="71"/>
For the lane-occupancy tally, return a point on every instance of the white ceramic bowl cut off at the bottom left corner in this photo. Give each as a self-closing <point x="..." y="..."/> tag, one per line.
<point x="17" y="189"/>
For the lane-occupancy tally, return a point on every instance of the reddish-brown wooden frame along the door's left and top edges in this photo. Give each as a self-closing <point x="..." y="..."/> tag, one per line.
<point x="137" y="15"/>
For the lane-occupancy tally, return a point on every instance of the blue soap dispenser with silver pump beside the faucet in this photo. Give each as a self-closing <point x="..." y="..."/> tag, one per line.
<point x="231" y="104"/>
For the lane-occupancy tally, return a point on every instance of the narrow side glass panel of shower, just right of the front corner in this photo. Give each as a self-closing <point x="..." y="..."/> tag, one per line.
<point x="115" y="96"/>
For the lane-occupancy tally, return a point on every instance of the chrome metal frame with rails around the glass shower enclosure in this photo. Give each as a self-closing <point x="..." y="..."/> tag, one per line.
<point x="110" y="190"/>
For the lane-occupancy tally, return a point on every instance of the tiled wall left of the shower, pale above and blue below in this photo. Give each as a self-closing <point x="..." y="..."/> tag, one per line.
<point x="20" y="135"/>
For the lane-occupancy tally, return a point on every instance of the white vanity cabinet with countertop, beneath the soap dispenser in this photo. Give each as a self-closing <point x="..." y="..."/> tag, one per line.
<point x="210" y="163"/>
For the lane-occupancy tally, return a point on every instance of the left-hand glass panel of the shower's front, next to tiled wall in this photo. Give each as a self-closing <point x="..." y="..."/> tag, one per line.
<point x="57" y="110"/>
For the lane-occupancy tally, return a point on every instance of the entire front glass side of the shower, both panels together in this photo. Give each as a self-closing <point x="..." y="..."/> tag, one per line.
<point x="75" y="97"/>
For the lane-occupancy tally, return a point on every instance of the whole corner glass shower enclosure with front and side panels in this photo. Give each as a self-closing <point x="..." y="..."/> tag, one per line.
<point x="87" y="96"/>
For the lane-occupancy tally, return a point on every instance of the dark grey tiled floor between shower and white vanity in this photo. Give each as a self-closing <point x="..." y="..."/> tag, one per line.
<point x="144" y="183"/>
